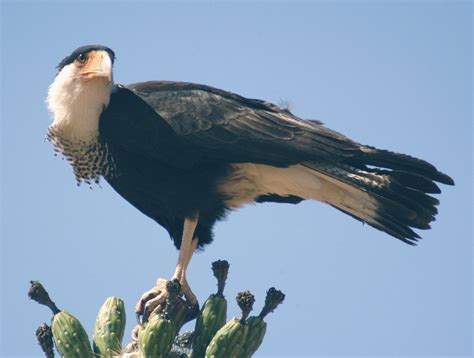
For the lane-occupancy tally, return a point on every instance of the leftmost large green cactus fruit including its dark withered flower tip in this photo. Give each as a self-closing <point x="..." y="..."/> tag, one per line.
<point x="69" y="336"/>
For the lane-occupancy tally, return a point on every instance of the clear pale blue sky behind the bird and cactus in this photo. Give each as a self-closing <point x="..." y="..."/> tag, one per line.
<point x="396" y="75"/>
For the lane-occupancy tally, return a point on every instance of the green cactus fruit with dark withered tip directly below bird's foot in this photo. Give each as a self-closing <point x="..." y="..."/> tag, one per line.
<point x="156" y="337"/>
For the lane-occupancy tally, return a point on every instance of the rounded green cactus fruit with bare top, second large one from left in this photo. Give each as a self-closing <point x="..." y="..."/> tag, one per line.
<point x="109" y="328"/>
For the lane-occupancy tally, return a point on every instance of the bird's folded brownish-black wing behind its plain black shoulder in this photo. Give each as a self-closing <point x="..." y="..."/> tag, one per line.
<point x="224" y="126"/>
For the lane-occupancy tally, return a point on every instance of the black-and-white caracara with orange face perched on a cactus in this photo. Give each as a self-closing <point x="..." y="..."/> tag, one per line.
<point x="187" y="154"/>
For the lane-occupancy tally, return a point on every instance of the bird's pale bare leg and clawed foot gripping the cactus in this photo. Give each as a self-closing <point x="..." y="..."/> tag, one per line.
<point x="156" y="297"/>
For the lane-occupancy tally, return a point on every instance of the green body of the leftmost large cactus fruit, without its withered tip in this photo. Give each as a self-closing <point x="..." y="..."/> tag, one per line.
<point x="70" y="337"/>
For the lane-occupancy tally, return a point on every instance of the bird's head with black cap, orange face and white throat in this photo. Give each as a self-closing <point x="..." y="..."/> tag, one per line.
<point x="80" y="91"/>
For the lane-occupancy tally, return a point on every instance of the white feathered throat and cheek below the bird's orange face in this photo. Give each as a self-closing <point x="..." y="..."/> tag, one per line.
<point x="76" y="105"/>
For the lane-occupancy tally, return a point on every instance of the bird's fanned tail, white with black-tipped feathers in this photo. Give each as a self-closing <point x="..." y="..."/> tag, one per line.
<point x="386" y="190"/>
